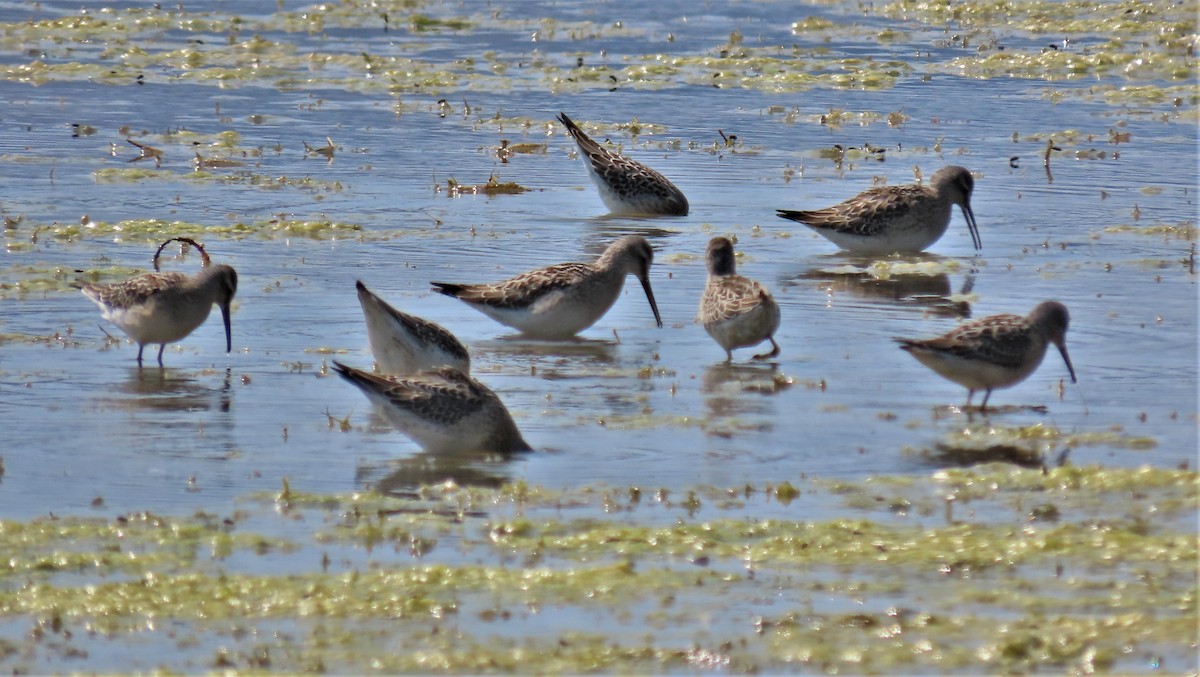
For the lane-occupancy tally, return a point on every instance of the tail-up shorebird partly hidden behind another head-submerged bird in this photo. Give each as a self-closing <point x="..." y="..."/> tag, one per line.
<point x="405" y="344"/>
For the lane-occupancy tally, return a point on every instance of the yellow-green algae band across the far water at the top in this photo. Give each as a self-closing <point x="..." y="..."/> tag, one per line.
<point x="1135" y="40"/>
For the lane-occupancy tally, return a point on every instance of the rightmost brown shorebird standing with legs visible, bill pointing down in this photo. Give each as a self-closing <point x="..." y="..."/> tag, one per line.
<point x="998" y="351"/>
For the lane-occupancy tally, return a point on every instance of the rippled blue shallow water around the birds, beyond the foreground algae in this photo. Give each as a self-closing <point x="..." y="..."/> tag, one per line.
<point x="88" y="433"/>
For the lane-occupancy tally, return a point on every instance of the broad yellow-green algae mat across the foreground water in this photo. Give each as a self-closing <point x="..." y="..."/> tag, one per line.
<point x="1093" y="570"/>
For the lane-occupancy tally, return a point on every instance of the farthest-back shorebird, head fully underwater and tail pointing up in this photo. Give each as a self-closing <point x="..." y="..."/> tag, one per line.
<point x="627" y="187"/>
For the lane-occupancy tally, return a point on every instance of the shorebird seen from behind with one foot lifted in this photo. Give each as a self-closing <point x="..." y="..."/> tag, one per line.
<point x="736" y="311"/>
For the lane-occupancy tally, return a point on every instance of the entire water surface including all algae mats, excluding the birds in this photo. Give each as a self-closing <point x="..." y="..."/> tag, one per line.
<point x="812" y="513"/>
